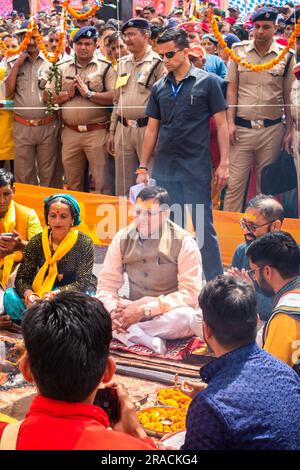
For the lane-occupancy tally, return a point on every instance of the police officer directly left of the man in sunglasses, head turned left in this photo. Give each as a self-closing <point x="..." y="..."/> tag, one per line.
<point x="136" y="75"/>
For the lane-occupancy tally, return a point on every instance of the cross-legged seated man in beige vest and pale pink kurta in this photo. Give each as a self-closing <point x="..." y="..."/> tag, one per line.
<point x="163" y="265"/>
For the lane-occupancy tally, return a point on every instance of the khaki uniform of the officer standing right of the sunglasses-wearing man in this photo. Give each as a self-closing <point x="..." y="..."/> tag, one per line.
<point x="260" y="106"/>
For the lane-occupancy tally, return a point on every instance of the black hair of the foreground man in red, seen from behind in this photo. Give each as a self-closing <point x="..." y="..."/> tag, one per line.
<point x="67" y="340"/>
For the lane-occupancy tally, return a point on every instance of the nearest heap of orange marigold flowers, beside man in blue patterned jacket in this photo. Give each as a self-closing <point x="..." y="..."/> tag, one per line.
<point x="158" y="421"/>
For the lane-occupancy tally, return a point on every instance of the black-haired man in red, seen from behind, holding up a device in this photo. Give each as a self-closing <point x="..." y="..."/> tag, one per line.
<point x="67" y="357"/>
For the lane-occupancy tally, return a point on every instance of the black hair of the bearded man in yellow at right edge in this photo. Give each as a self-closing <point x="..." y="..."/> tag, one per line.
<point x="278" y="250"/>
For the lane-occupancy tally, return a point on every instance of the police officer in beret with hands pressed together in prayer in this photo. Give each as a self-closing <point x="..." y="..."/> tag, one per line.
<point x="87" y="92"/>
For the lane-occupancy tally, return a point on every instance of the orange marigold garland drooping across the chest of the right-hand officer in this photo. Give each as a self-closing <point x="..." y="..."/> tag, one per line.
<point x="238" y="60"/>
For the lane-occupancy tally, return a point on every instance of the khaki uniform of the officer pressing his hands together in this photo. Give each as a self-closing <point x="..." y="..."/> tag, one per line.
<point x="78" y="114"/>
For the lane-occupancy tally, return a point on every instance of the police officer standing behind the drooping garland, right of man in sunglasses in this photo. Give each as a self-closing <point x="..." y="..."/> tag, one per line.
<point x="256" y="102"/>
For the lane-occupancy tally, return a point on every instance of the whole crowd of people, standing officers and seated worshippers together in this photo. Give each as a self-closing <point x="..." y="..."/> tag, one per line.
<point x="156" y="97"/>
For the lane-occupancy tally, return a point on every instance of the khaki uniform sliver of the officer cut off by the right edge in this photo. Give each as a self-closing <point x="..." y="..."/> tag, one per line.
<point x="295" y="109"/>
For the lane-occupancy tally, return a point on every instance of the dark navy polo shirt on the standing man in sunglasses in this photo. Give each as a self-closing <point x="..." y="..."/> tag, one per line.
<point x="182" y="151"/>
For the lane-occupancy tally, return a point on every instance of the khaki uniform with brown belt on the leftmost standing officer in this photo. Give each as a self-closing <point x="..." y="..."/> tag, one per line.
<point x="35" y="133"/>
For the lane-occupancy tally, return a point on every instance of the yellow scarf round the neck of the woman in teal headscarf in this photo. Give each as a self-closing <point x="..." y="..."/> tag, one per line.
<point x="42" y="284"/>
